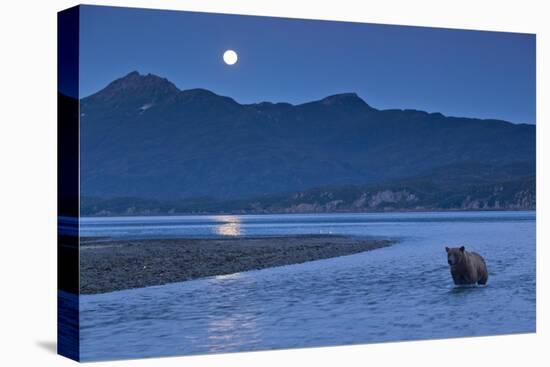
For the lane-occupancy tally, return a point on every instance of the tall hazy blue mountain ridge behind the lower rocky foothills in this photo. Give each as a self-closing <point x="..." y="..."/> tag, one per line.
<point x="142" y="136"/>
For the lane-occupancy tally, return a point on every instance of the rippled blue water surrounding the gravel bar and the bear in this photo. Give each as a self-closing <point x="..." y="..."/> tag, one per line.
<point x="402" y="292"/>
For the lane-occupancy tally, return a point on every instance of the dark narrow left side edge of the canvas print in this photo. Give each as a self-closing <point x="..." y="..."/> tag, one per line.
<point x="68" y="184"/>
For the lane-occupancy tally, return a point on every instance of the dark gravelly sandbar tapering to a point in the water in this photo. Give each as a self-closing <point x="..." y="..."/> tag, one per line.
<point x="111" y="265"/>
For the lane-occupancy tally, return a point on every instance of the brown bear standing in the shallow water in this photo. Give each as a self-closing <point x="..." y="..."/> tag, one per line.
<point x="466" y="267"/>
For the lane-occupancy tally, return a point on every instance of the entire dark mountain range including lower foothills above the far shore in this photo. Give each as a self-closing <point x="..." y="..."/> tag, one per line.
<point x="148" y="147"/>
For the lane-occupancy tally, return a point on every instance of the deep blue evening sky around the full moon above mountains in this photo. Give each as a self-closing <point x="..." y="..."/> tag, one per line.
<point x="455" y="72"/>
